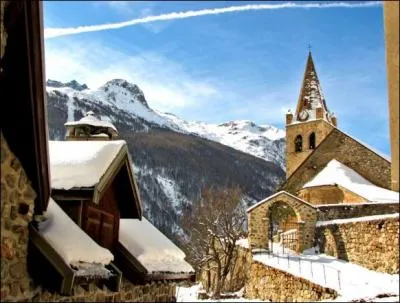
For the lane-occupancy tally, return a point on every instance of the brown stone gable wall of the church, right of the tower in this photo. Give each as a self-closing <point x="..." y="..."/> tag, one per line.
<point x="348" y="151"/>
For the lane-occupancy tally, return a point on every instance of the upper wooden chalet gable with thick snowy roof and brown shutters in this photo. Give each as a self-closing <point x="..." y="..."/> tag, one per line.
<point x="94" y="184"/>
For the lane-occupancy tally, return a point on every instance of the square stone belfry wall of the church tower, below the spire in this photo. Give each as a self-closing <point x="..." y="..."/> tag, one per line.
<point x="321" y="128"/>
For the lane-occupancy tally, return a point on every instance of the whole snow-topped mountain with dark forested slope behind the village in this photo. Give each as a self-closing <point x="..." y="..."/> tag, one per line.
<point x="173" y="158"/>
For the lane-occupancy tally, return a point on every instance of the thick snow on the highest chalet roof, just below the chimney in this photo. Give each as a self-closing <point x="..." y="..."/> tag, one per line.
<point x="80" y="163"/>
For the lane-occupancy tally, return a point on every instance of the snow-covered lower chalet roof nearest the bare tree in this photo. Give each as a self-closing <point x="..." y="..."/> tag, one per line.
<point x="151" y="248"/>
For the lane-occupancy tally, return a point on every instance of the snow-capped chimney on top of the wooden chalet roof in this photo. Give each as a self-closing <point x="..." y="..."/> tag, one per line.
<point x="91" y="128"/>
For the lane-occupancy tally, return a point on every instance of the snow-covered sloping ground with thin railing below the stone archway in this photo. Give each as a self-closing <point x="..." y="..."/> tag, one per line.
<point x="350" y="280"/>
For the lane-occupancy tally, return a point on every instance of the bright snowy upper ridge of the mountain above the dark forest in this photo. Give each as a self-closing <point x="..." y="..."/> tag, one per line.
<point x="263" y="141"/>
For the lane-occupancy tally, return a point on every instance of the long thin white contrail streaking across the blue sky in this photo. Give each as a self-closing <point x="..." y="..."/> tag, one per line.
<point x="57" y="32"/>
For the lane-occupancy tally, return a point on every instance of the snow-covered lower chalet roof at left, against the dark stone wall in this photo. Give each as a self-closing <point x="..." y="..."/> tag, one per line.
<point x="69" y="240"/>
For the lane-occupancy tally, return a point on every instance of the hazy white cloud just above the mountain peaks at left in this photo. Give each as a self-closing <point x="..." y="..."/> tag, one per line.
<point x="166" y="84"/>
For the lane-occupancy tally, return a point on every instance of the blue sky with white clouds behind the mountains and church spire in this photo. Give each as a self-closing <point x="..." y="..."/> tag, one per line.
<point x="239" y="65"/>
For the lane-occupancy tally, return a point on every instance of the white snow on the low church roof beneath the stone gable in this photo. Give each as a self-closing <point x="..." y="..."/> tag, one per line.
<point x="338" y="173"/>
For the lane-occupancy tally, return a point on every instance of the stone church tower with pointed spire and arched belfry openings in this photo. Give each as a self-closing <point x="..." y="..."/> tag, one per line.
<point x="311" y="122"/>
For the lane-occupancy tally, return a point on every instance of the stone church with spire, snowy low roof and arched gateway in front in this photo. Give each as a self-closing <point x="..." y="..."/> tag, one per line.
<point x="329" y="175"/>
